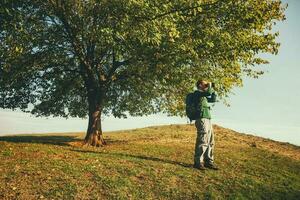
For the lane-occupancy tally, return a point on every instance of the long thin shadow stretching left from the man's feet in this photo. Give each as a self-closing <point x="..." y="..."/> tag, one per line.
<point x="182" y="164"/>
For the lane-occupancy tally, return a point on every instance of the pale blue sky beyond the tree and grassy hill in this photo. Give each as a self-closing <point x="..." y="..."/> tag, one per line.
<point x="268" y="106"/>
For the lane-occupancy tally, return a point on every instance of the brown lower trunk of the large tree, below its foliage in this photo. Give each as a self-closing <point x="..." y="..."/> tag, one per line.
<point x="94" y="134"/>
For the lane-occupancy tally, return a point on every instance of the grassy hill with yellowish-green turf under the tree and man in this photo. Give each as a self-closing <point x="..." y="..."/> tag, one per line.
<point x="148" y="163"/>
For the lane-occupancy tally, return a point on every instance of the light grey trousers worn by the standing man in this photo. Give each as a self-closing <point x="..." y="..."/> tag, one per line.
<point x="204" y="148"/>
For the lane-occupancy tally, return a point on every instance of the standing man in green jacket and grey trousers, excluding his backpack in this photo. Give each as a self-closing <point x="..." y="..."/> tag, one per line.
<point x="204" y="148"/>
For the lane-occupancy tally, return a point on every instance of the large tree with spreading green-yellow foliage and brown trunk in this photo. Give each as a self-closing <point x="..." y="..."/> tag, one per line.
<point x="83" y="58"/>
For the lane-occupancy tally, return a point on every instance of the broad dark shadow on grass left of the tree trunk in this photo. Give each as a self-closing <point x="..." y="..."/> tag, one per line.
<point x="49" y="139"/>
